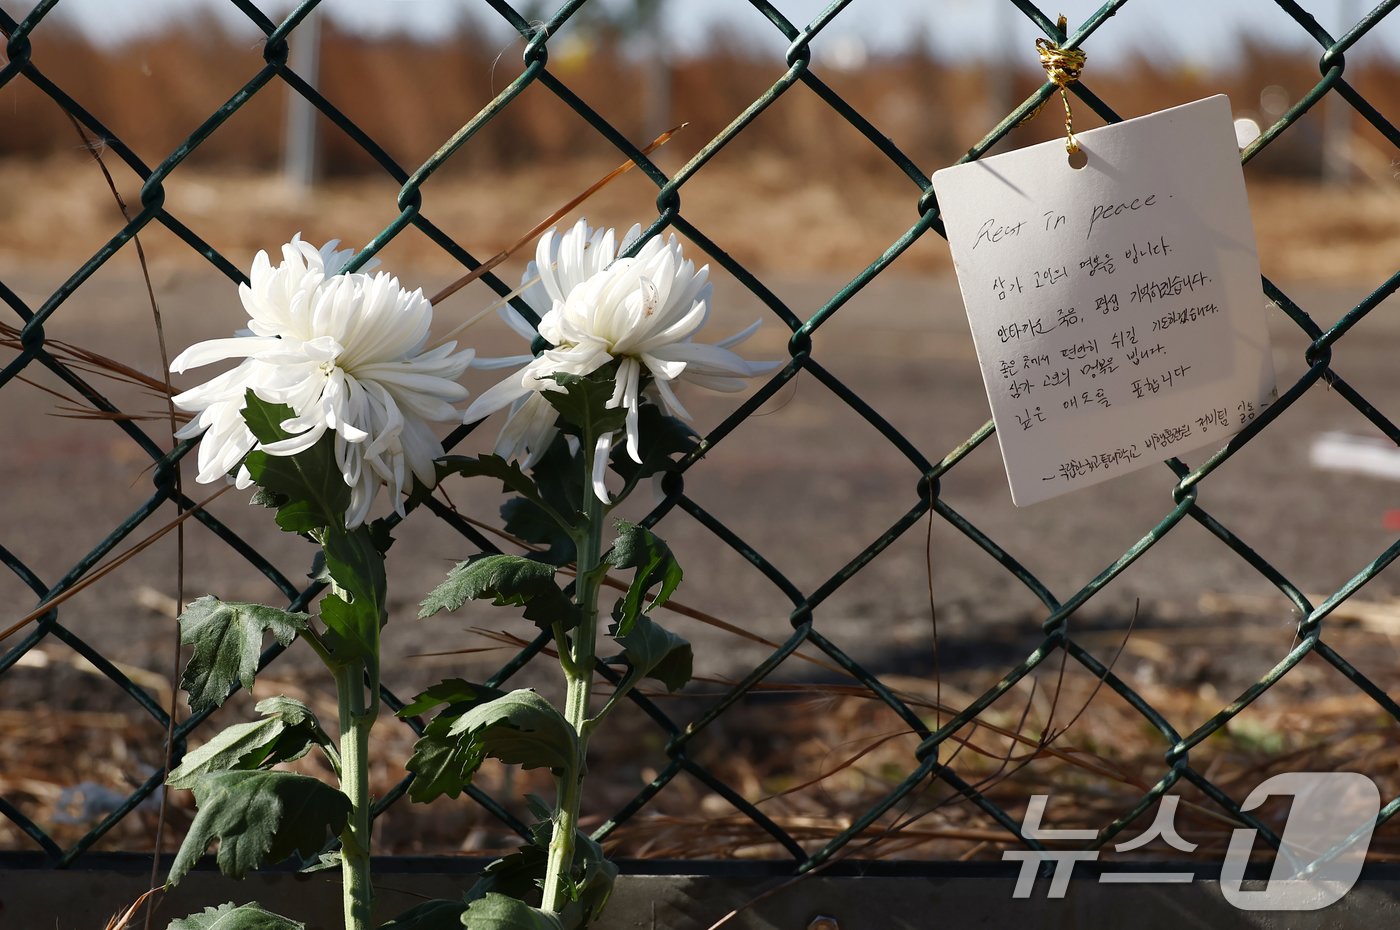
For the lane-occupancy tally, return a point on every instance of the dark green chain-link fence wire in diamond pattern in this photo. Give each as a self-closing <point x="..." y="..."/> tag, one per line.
<point x="929" y="764"/>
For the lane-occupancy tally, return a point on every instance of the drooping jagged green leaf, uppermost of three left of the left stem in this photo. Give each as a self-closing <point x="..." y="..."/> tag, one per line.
<point x="227" y="639"/>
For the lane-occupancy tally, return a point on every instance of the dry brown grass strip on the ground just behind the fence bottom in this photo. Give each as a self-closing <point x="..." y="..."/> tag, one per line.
<point x="815" y="757"/>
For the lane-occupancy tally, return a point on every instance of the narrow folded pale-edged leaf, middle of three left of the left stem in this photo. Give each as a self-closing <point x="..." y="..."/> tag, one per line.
<point x="288" y="732"/>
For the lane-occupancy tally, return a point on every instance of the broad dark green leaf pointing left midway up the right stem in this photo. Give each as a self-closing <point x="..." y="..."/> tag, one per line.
<point x="505" y="581"/>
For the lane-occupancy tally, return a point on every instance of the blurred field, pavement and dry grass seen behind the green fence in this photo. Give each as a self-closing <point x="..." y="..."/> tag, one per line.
<point x="807" y="204"/>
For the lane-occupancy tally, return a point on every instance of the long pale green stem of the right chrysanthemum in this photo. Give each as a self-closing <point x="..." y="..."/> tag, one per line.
<point x="579" y="676"/>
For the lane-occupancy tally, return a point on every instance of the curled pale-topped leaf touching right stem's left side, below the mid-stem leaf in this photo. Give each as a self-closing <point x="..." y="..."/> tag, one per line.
<point x="520" y="729"/>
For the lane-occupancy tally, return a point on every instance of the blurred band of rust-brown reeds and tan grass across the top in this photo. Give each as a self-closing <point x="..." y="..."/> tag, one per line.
<point x="800" y="191"/>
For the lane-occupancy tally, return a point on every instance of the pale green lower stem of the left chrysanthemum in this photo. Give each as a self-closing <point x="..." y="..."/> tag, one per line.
<point x="355" y="782"/>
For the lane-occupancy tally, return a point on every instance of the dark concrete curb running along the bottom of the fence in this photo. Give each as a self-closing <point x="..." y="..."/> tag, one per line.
<point x="696" y="896"/>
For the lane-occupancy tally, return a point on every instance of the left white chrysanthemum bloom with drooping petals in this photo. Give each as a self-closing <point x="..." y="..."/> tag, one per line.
<point x="345" y="352"/>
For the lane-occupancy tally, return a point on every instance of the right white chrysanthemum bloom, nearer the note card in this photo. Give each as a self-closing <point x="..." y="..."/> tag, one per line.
<point x="642" y="313"/>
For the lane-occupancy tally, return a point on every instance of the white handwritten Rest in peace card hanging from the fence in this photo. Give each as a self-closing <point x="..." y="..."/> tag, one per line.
<point x="1116" y="307"/>
